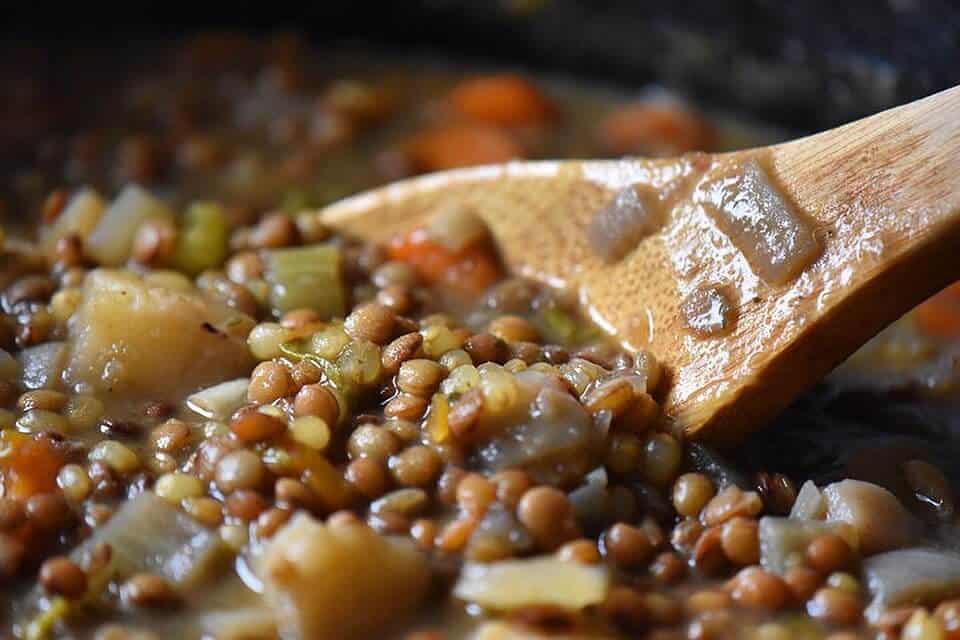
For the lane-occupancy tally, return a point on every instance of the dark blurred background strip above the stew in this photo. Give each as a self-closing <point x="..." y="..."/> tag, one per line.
<point x="807" y="64"/>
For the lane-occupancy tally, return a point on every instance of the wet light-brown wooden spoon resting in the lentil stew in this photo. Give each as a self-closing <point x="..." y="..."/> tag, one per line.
<point x="881" y="197"/>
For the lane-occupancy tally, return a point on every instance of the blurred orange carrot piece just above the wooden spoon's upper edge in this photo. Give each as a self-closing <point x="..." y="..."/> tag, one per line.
<point x="656" y="129"/>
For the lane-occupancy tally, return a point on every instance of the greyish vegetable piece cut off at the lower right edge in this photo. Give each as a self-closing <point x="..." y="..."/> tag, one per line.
<point x="911" y="576"/>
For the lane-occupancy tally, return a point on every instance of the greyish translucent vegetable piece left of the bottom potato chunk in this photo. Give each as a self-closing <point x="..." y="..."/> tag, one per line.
<point x="148" y="534"/>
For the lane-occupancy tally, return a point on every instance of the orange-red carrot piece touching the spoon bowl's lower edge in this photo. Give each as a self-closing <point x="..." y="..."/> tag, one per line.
<point x="471" y="269"/>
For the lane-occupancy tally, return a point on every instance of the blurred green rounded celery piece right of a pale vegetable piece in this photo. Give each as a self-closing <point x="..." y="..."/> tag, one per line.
<point x="203" y="241"/>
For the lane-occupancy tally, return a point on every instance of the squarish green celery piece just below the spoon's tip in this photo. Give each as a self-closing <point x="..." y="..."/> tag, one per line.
<point x="307" y="277"/>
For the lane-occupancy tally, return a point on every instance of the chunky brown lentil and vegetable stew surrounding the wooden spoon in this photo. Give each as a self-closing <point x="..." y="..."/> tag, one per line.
<point x="221" y="419"/>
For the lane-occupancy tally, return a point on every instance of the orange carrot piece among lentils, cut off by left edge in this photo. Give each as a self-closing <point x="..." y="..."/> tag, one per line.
<point x="29" y="466"/>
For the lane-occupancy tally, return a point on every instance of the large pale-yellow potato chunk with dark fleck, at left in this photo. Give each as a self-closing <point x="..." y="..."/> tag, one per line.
<point x="144" y="340"/>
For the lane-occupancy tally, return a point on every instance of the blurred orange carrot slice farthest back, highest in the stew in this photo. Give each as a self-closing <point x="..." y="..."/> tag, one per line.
<point x="502" y="99"/>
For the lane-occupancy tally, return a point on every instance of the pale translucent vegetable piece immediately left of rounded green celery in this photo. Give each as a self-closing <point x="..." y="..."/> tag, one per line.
<point x="111" y="240"/>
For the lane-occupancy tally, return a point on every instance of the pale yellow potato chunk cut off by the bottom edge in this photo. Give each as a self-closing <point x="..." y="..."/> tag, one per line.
<point x="340" y="580"/>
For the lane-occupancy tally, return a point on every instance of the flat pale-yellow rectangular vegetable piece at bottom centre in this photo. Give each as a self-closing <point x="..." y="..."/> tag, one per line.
<point x="513" y="584"/>
